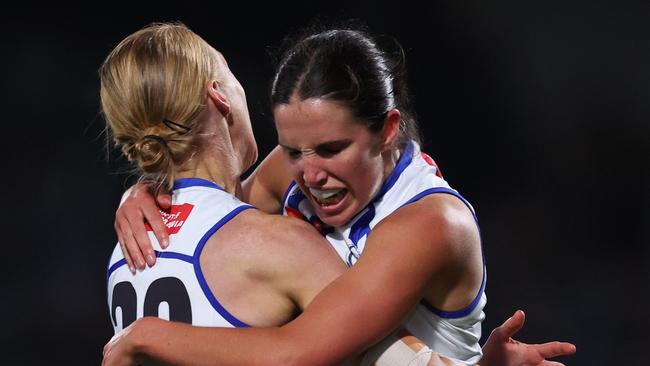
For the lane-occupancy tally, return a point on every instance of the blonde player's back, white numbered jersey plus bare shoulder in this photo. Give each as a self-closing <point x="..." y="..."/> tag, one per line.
<point x="226" y="265"/>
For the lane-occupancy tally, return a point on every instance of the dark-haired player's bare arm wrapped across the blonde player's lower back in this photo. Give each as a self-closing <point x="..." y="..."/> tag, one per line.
<point x="355" y="311"/>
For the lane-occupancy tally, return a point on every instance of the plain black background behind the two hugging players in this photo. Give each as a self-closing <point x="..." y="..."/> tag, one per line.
<point x="537" y="112"/>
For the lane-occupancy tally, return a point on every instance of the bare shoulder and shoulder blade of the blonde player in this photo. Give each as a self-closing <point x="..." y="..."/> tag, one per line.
<point x="278" y="262"/>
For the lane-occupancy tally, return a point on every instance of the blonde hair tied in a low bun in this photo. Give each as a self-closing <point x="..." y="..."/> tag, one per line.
<point x="153" y="90"/>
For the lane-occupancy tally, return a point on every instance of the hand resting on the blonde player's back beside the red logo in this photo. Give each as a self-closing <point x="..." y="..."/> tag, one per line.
<point x="137" y="208"/>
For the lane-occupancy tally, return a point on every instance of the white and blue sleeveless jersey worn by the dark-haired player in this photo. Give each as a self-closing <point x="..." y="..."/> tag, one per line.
<point x="454" y="334"/>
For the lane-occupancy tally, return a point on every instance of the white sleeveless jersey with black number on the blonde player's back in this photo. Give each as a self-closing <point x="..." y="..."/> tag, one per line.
<point x="175" y="288"/>
